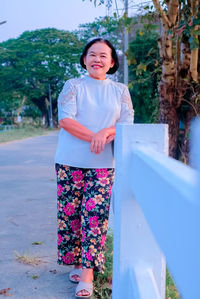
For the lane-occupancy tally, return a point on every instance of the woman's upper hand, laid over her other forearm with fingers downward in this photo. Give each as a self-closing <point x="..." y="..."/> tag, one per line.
<point x="98" y="141"/>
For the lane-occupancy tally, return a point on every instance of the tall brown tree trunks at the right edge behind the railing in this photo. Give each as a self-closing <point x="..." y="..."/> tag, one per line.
<point x="179" y="86"/>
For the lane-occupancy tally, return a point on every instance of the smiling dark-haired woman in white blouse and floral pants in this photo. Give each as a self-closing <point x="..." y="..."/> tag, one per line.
<point x="88" y="110"/>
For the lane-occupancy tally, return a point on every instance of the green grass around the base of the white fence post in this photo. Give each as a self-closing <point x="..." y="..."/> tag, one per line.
<point x="103" y="282"/>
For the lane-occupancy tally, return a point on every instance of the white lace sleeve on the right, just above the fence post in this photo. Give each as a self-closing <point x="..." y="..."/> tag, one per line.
<point x="127" y="112"/>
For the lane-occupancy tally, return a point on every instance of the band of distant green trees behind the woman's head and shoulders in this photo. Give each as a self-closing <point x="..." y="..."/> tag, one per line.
<point x="45" y="58"/>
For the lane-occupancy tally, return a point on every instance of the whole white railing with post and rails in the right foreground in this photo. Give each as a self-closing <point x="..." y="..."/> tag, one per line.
<point x="156" y="215"/>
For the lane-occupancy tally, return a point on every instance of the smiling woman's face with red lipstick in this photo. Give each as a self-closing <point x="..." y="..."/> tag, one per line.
<point x="98" y="60"/>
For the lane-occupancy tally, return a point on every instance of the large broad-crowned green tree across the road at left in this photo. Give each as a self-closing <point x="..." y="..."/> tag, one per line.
<point x="35" y="61"/>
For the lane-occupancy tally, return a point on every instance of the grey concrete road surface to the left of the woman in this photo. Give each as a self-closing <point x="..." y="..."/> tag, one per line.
<point x="27" y="215"/>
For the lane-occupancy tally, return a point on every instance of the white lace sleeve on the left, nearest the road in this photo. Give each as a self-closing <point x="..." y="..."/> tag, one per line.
<point x="67" y="101"/>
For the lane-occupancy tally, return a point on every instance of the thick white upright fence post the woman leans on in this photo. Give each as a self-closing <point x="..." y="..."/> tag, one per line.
<point x="138" y="263"/>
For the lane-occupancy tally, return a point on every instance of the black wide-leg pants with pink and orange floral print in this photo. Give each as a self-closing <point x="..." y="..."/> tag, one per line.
<point x="83" y="211"/>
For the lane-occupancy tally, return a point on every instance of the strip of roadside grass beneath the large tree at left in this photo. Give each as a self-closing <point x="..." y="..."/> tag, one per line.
<point x="23" y="132"/>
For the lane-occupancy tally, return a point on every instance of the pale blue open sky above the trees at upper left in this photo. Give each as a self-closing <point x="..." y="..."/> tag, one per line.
<point x="22" y="15"/>
